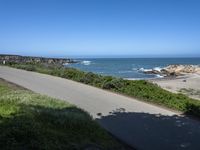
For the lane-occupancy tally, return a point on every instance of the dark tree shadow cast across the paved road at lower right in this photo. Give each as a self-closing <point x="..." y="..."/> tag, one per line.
<point x="153" y="131"/>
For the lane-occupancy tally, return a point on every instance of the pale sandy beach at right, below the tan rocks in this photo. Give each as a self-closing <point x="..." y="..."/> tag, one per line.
<point x="188" y="84"/>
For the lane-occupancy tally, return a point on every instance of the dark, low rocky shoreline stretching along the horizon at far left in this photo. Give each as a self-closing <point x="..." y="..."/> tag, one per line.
<point x="28" y="59"/>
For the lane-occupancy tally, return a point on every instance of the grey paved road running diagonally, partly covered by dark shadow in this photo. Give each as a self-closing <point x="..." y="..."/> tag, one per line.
<point x="141" y="125"/>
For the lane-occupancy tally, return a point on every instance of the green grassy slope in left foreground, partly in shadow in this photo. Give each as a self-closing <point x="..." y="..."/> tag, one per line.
<point x="33" y="121"/>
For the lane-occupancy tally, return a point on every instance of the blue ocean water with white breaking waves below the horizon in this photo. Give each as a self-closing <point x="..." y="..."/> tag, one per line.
<point x="129" y="68"/>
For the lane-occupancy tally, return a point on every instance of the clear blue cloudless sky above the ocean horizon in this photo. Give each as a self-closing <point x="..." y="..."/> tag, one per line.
<point x="100" y="27"/>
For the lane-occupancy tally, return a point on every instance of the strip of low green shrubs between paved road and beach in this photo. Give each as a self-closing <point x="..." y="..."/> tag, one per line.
<point x="142" y="90"/>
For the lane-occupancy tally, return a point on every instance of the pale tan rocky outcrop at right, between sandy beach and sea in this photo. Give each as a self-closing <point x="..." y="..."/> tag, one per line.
<point x="175" y="70"/>
